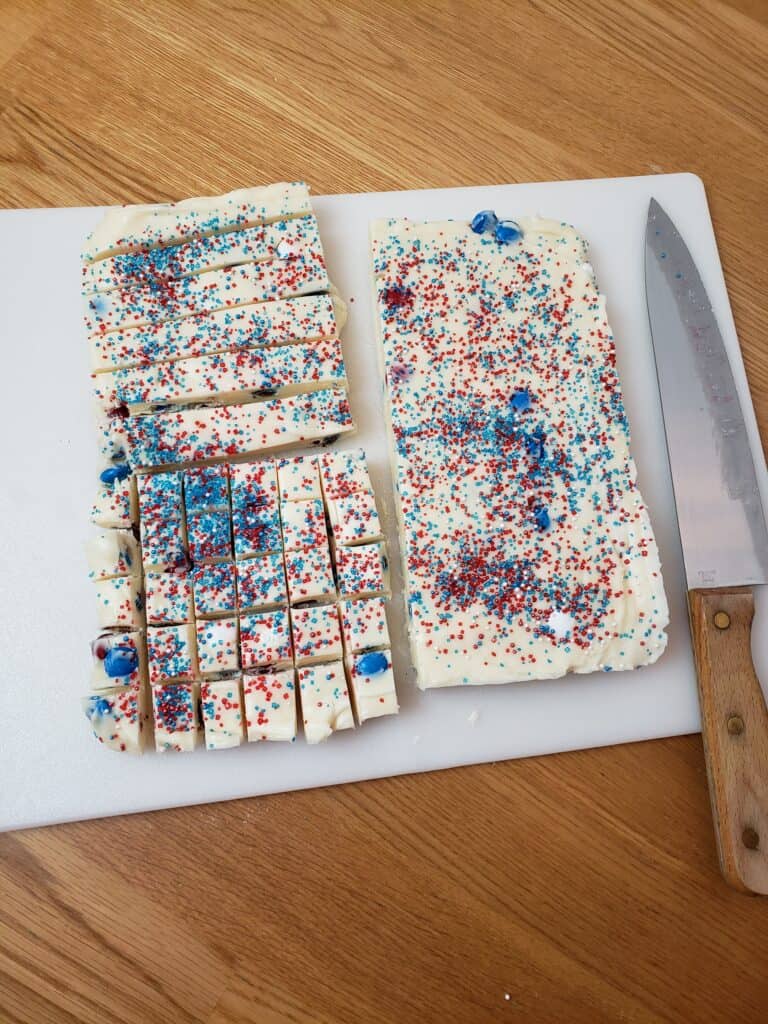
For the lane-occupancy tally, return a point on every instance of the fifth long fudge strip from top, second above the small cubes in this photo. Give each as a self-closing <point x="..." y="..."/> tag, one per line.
<point x="224" y="377"/>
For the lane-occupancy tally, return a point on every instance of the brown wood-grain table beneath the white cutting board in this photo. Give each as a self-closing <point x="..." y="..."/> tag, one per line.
<point x="578" y="888"/>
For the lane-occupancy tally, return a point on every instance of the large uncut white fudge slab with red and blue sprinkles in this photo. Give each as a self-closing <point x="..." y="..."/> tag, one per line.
<point x="528" y="550"/>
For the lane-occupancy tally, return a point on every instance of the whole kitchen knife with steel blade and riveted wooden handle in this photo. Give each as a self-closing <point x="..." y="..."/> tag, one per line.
<point x="726" y="545"/>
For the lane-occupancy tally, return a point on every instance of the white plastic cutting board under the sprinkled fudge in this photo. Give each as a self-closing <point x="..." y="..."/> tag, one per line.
<point x="53" y="771"/>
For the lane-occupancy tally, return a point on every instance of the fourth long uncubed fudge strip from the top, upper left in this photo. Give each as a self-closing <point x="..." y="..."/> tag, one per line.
<point x="303" y="319"/>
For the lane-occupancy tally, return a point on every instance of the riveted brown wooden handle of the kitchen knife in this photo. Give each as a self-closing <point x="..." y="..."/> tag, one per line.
<point x="735" y="727"/>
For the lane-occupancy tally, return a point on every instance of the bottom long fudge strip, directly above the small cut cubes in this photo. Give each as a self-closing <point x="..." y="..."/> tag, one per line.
<point x="193" y="435"/>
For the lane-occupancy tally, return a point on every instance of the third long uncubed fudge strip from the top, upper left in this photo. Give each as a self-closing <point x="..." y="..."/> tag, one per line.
<point x="206" y="293"/>
